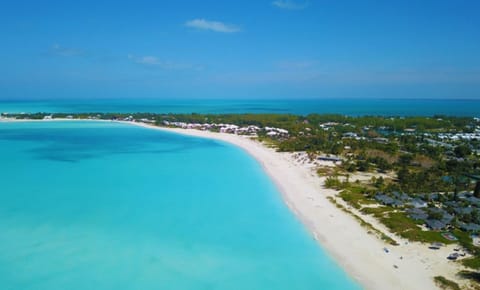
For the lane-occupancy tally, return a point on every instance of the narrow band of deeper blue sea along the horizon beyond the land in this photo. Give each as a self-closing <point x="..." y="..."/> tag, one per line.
<point x="353" y="107"/>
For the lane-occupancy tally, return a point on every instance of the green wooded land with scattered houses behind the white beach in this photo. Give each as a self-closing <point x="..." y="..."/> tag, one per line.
<point x="404" y="179"/>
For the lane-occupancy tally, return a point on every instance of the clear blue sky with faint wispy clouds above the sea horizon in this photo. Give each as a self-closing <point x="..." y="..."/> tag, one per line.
<point x="240" y="49"/>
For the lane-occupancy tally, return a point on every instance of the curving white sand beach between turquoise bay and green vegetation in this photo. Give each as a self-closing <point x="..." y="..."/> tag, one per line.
<point x="358" y="252"/>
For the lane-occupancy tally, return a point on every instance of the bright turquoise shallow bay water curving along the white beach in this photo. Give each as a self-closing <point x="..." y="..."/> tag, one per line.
<point x="110" y="206"/>
